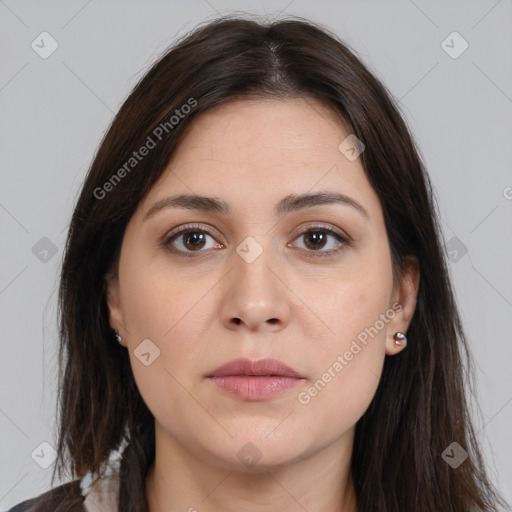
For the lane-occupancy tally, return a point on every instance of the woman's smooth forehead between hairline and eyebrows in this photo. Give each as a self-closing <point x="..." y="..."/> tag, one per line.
<point x="254" y="151"/>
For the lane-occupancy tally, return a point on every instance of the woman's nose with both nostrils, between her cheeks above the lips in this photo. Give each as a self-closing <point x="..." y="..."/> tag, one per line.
<point x="255" y="298"/>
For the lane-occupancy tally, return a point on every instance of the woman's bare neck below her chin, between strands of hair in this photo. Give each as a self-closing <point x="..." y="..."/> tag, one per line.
<point x="180" y="481"/>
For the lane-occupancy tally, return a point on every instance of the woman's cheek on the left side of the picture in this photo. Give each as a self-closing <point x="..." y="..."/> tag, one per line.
<point x="163" y="307"/>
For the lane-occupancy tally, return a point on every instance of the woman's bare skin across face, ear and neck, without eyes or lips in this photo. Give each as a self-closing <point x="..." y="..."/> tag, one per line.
<point x="252" y="153"/>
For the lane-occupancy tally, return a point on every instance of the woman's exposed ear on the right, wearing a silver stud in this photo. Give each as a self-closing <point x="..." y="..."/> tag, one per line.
<point x="404" y="301"/>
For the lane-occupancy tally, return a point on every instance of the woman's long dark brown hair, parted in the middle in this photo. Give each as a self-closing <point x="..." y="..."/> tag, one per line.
<point x="420" y="406"/>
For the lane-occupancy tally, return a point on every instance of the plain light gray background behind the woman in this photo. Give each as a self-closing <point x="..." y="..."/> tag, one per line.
<point x="54" y="112"/>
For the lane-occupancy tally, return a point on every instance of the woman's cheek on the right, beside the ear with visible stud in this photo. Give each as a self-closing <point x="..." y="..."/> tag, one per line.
<point x="349" y="362"/>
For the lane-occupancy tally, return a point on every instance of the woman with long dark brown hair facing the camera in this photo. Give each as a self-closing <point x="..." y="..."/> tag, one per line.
<point x="310" y="357"/>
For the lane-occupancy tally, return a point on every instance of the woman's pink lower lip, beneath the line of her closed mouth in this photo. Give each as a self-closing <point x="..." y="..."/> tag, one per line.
<point x="255" y="388"/>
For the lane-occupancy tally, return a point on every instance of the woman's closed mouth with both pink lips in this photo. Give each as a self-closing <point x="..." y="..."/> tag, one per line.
<point x="255" y="380"/>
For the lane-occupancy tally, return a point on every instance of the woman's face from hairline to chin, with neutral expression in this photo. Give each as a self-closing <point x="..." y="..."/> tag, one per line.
<point x="282" y="273"/>
